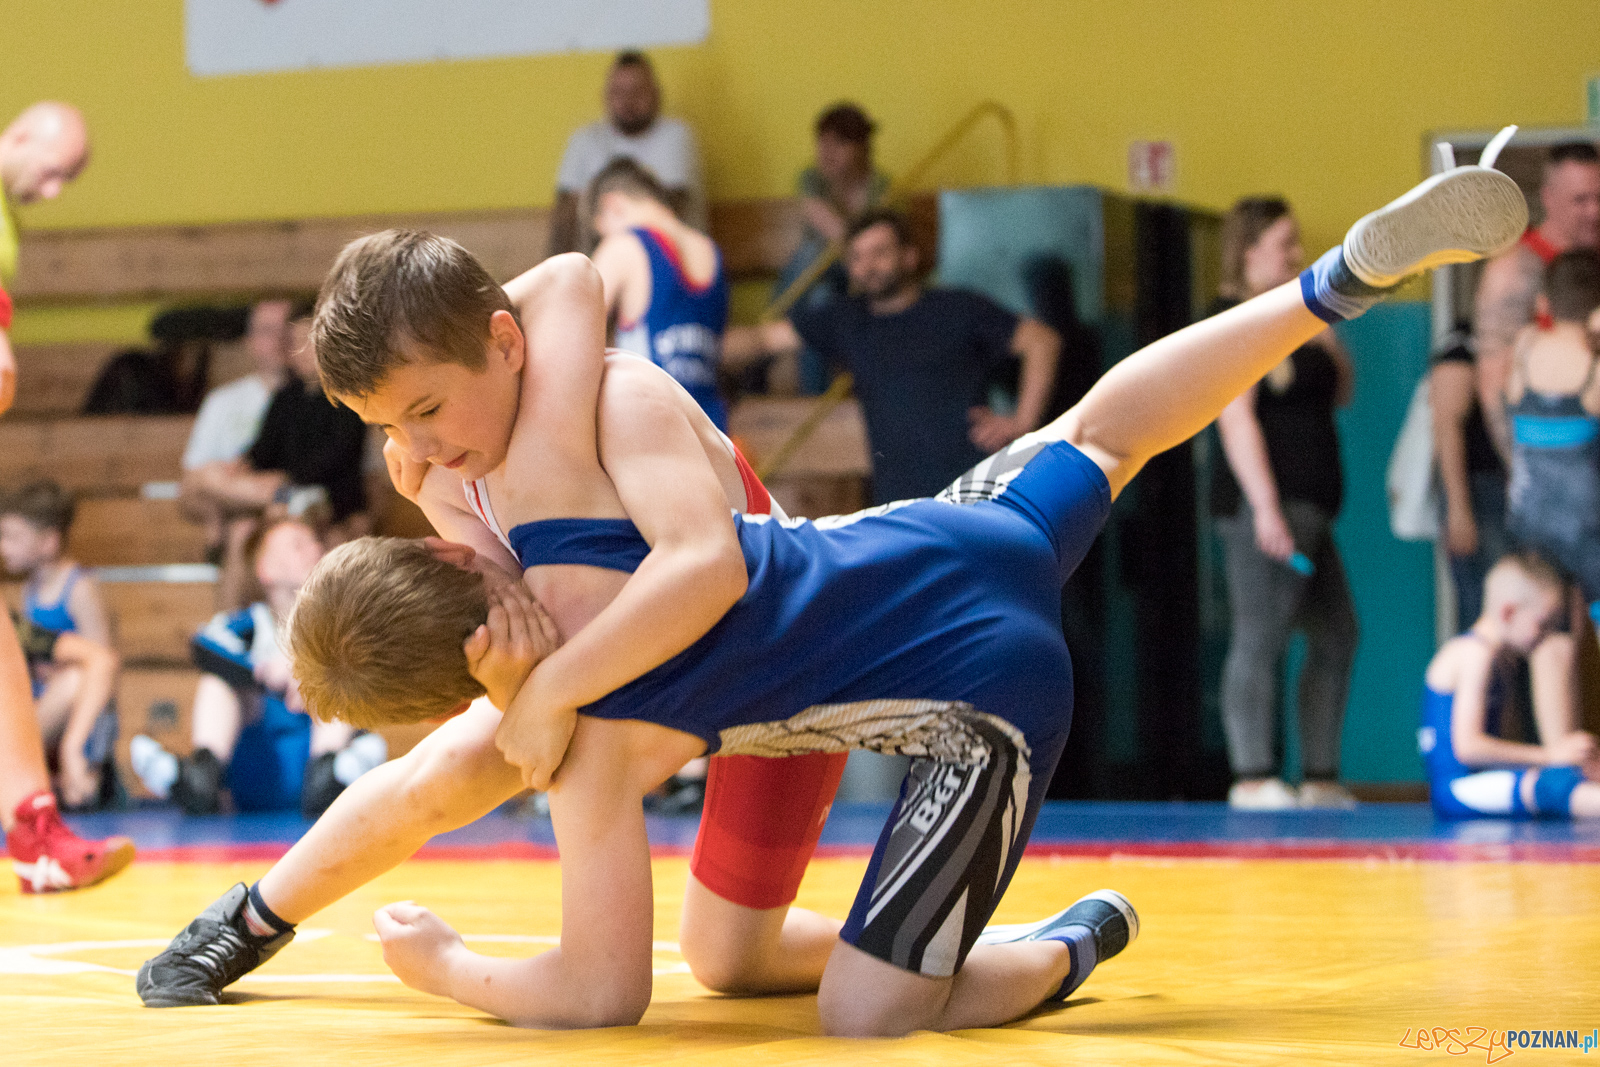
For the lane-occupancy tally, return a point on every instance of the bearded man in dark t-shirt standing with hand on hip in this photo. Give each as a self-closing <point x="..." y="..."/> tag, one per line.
<point x="922" y="362"/>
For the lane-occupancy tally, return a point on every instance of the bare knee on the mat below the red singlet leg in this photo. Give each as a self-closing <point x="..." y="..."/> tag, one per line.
<point x="735" y="949"/>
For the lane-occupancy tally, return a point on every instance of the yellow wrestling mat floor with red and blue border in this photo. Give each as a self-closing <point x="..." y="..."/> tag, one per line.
<point x="1305" y="938"/>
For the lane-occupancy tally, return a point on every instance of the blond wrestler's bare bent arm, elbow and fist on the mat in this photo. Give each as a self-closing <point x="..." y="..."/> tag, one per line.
<point x="601" y="975"/>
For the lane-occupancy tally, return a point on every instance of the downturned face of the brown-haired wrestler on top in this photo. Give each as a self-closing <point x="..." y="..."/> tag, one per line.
<point x="450" y="415"/>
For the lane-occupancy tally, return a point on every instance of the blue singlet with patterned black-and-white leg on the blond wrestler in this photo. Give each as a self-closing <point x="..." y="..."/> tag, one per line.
<point x="921" y="628"/>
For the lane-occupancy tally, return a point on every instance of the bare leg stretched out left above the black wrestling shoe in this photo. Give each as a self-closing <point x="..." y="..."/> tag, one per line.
<point x="452" y="778"/>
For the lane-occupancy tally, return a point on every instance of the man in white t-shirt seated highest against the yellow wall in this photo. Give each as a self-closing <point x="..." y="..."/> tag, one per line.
<point x="633" y="129"/>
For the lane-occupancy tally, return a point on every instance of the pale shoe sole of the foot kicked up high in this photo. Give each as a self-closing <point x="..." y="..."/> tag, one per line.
<point x="1458" y="217"/>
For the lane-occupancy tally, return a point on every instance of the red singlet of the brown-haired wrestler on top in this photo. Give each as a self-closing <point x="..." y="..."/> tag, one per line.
<point x="762" y="817"/>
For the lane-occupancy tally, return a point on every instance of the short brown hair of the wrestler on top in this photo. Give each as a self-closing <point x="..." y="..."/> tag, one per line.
<point x="396" y="297"/>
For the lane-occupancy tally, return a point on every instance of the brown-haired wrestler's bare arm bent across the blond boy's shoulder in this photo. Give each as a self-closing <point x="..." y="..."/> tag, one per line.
<point x="694" y="575"/>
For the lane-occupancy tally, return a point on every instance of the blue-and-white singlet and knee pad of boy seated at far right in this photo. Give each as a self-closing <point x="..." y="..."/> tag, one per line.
<point x="1476" y="793"/>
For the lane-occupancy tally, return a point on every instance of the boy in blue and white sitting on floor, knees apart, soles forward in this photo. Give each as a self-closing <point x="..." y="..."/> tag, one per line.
<point x="250" y="730"/>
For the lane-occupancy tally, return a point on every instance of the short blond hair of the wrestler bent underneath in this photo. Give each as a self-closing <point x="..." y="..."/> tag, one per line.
<point x="378" y="629"/>
